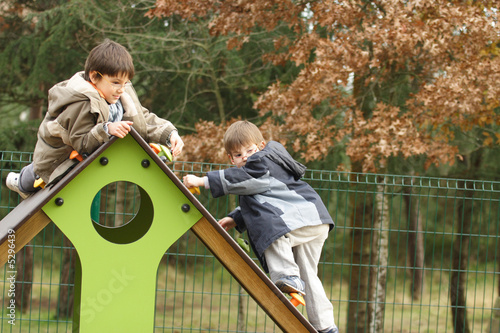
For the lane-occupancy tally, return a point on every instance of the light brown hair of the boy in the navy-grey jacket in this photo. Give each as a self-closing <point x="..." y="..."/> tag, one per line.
<point x="241" y="133"/>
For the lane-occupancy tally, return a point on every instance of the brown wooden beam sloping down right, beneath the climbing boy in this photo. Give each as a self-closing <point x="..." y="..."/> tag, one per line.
<point x="252" y="278"/>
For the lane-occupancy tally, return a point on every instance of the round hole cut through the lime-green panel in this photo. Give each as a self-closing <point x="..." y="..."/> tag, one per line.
<point x="122" y="212"/>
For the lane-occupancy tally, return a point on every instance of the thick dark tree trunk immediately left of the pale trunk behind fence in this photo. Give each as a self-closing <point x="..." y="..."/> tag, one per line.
<point x="361" y="222"/>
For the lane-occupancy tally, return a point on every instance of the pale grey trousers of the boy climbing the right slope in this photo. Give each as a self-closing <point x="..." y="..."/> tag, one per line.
<point x="298" y="253"/>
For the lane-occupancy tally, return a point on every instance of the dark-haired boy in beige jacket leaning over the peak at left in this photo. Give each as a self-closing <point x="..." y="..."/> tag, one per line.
<point x="85" y="111"/>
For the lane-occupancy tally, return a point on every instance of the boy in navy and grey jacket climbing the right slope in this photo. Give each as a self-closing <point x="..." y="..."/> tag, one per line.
<point x="286" y="220"/>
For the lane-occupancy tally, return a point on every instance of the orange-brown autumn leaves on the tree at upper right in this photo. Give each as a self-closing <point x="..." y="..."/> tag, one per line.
<point x="383" y="78"/>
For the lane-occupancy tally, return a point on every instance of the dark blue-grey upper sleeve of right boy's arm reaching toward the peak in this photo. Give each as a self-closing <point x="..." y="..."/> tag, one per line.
<point x="251" y="179"/>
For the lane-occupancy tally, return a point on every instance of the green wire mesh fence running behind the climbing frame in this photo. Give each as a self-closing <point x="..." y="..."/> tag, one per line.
<point x="408" y="254"/>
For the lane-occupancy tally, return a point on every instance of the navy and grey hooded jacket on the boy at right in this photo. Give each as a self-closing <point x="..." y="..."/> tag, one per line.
<point x="273" y="200"/>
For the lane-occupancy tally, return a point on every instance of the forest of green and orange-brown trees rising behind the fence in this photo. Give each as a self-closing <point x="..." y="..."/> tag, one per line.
<point x="388" y="87"/>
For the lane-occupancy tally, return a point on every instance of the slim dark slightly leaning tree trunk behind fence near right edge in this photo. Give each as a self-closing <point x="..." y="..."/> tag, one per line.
<point x="460" y="262"/>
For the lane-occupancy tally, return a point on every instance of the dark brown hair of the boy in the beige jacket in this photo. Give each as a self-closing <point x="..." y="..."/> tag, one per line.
<point x="109" y="58"/>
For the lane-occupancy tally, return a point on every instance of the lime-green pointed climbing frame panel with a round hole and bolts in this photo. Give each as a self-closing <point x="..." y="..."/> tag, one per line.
<point x="117" y="282"/>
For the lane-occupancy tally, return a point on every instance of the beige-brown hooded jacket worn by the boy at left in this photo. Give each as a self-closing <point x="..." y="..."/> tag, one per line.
<point x="75" y="121"/>
